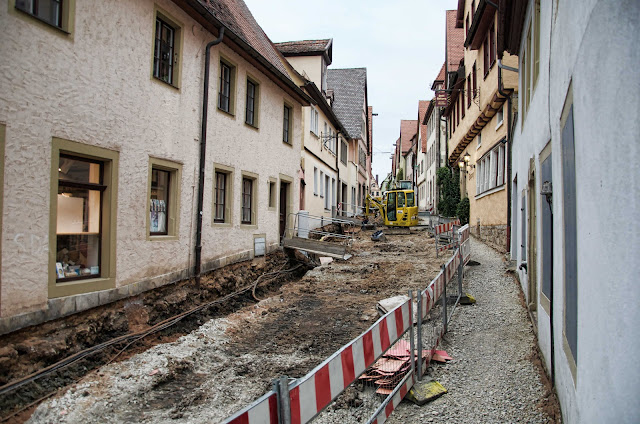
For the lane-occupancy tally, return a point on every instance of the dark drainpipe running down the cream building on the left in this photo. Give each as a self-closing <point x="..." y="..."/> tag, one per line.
<point x="203" y="150"/>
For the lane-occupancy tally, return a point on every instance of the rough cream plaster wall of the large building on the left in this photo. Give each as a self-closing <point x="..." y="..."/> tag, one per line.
<point x="97" y="89"/>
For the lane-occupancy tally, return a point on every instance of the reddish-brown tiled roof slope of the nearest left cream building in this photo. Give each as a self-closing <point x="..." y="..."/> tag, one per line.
<point x="235" y="15"/>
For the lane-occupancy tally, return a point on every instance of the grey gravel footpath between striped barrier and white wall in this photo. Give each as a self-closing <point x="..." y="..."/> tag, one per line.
<point x="492" y="378"/>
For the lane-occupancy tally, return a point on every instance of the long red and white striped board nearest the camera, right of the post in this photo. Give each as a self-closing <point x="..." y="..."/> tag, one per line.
<point x="311" y="394"/>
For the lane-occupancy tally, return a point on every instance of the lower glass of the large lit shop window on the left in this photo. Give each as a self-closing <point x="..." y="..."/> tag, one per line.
<point x="78" y="232"/>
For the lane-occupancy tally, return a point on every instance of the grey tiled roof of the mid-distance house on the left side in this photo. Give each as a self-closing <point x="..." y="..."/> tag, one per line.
<point x="349" y="88"/>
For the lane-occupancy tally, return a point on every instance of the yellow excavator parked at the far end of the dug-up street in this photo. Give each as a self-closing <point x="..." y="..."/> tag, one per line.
<point x="397" y="207"/>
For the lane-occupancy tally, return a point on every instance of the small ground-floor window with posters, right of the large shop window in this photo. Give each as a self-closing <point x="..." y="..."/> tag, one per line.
<point x="164" y="197"/>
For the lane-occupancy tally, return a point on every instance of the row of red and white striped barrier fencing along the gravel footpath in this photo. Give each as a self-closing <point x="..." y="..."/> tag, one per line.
<point x="381" y="358"/>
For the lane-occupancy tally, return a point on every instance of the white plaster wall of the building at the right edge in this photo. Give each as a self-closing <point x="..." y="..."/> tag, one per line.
<point x="592" y="45"/>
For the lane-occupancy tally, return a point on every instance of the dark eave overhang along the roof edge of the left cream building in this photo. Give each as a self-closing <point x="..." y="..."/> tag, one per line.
<point x="198" y="12"/>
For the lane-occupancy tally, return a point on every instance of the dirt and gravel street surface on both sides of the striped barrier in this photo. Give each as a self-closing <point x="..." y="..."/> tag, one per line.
<point x="228" y="362"/>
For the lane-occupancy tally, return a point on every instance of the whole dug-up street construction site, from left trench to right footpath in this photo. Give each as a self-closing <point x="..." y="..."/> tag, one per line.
<point x="202" y="353"/>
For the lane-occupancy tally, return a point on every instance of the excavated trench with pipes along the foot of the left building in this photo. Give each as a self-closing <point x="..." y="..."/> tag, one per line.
<point x="31" y="349"/>
